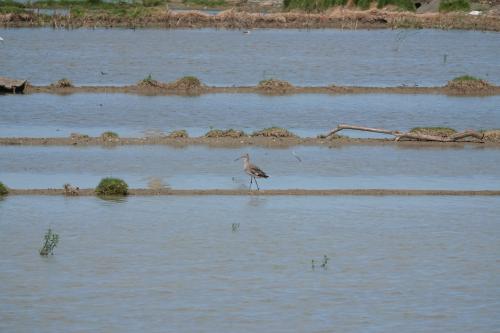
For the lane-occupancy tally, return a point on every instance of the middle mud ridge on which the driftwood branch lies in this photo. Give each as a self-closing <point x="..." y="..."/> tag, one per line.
<point x="235" y="142"/>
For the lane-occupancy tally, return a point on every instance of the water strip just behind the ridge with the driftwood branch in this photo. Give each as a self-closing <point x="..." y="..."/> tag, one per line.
<point x="45" y="115"/>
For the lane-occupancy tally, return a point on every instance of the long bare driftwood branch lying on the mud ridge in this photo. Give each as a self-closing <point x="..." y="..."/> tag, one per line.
<point x="398" y="135"/>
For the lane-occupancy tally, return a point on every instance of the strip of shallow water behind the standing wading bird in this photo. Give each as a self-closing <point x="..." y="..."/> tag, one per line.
<point x="198" y="167"/>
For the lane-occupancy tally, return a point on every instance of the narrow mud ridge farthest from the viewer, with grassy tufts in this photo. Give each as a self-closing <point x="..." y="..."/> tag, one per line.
<point x="150" y="90"/>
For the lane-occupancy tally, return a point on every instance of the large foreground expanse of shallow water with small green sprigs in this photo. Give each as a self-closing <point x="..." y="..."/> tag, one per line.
<point x="173" y="264"/>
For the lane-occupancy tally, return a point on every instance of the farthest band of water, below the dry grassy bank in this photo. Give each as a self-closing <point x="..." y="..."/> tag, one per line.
<point x="227" y="57"/>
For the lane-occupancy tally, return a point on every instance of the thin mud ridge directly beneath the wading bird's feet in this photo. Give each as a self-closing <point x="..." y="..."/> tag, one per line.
<point x="299" y="192"/>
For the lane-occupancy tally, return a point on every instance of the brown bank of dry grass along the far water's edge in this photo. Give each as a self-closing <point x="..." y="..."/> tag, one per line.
<point x="231" y="19"/>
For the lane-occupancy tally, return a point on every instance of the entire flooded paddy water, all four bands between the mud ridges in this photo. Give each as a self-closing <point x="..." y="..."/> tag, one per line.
<point x="244" y="263"/>
